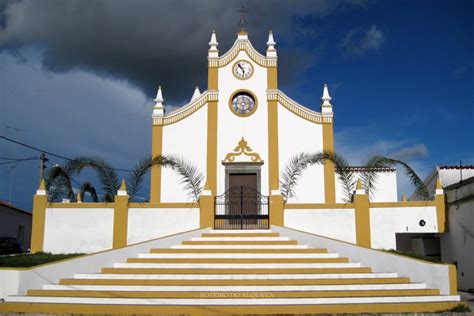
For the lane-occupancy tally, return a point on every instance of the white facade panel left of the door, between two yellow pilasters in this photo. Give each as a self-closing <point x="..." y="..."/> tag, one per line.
<point x="186" y="139"/>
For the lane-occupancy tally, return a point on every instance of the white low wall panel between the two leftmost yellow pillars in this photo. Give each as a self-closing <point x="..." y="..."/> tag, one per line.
<point x="78" y="230"/>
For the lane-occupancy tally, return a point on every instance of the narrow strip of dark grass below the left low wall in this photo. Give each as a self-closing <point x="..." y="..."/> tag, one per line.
<point x="25" y="260"/>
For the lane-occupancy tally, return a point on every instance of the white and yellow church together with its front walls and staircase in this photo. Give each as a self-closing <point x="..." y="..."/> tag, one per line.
<point x="244" y="244"/>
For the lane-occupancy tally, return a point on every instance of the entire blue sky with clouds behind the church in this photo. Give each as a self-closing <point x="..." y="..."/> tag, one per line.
<point x="78" y="77"/>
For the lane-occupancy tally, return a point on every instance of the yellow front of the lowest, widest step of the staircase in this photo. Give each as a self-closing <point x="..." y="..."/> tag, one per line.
<point x="216" y="310"/>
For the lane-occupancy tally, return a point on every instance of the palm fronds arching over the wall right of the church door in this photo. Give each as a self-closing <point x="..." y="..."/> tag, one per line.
<point x="345" y="172"/>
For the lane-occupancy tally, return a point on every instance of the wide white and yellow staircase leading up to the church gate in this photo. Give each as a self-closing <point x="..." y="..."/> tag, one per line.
<point x="238" y="272"/>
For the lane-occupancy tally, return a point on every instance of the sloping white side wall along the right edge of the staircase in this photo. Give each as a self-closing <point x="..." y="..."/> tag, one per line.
<point x="434" y="275"/>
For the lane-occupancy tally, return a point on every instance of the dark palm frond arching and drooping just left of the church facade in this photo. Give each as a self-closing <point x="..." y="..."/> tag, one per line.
<point x="107" y="175"/>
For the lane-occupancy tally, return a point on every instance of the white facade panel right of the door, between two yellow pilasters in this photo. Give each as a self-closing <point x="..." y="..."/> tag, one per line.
<point x="297" y="135"/>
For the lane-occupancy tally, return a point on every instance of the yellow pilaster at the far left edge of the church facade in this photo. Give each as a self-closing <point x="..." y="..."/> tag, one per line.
<point x="156" y="150"/>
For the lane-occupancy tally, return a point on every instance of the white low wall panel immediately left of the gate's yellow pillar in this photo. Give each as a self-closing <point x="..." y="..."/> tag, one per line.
<point x="148" y="223"/>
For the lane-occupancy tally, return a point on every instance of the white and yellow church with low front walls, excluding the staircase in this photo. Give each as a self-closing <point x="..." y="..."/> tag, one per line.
<point x="241" y="132"/>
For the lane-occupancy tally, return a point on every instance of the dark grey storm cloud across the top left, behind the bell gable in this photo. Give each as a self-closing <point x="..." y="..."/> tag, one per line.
<point x="148" y="42"/>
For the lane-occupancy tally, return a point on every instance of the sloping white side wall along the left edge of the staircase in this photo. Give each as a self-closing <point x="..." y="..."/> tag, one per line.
<point x="17" y="282"/>
